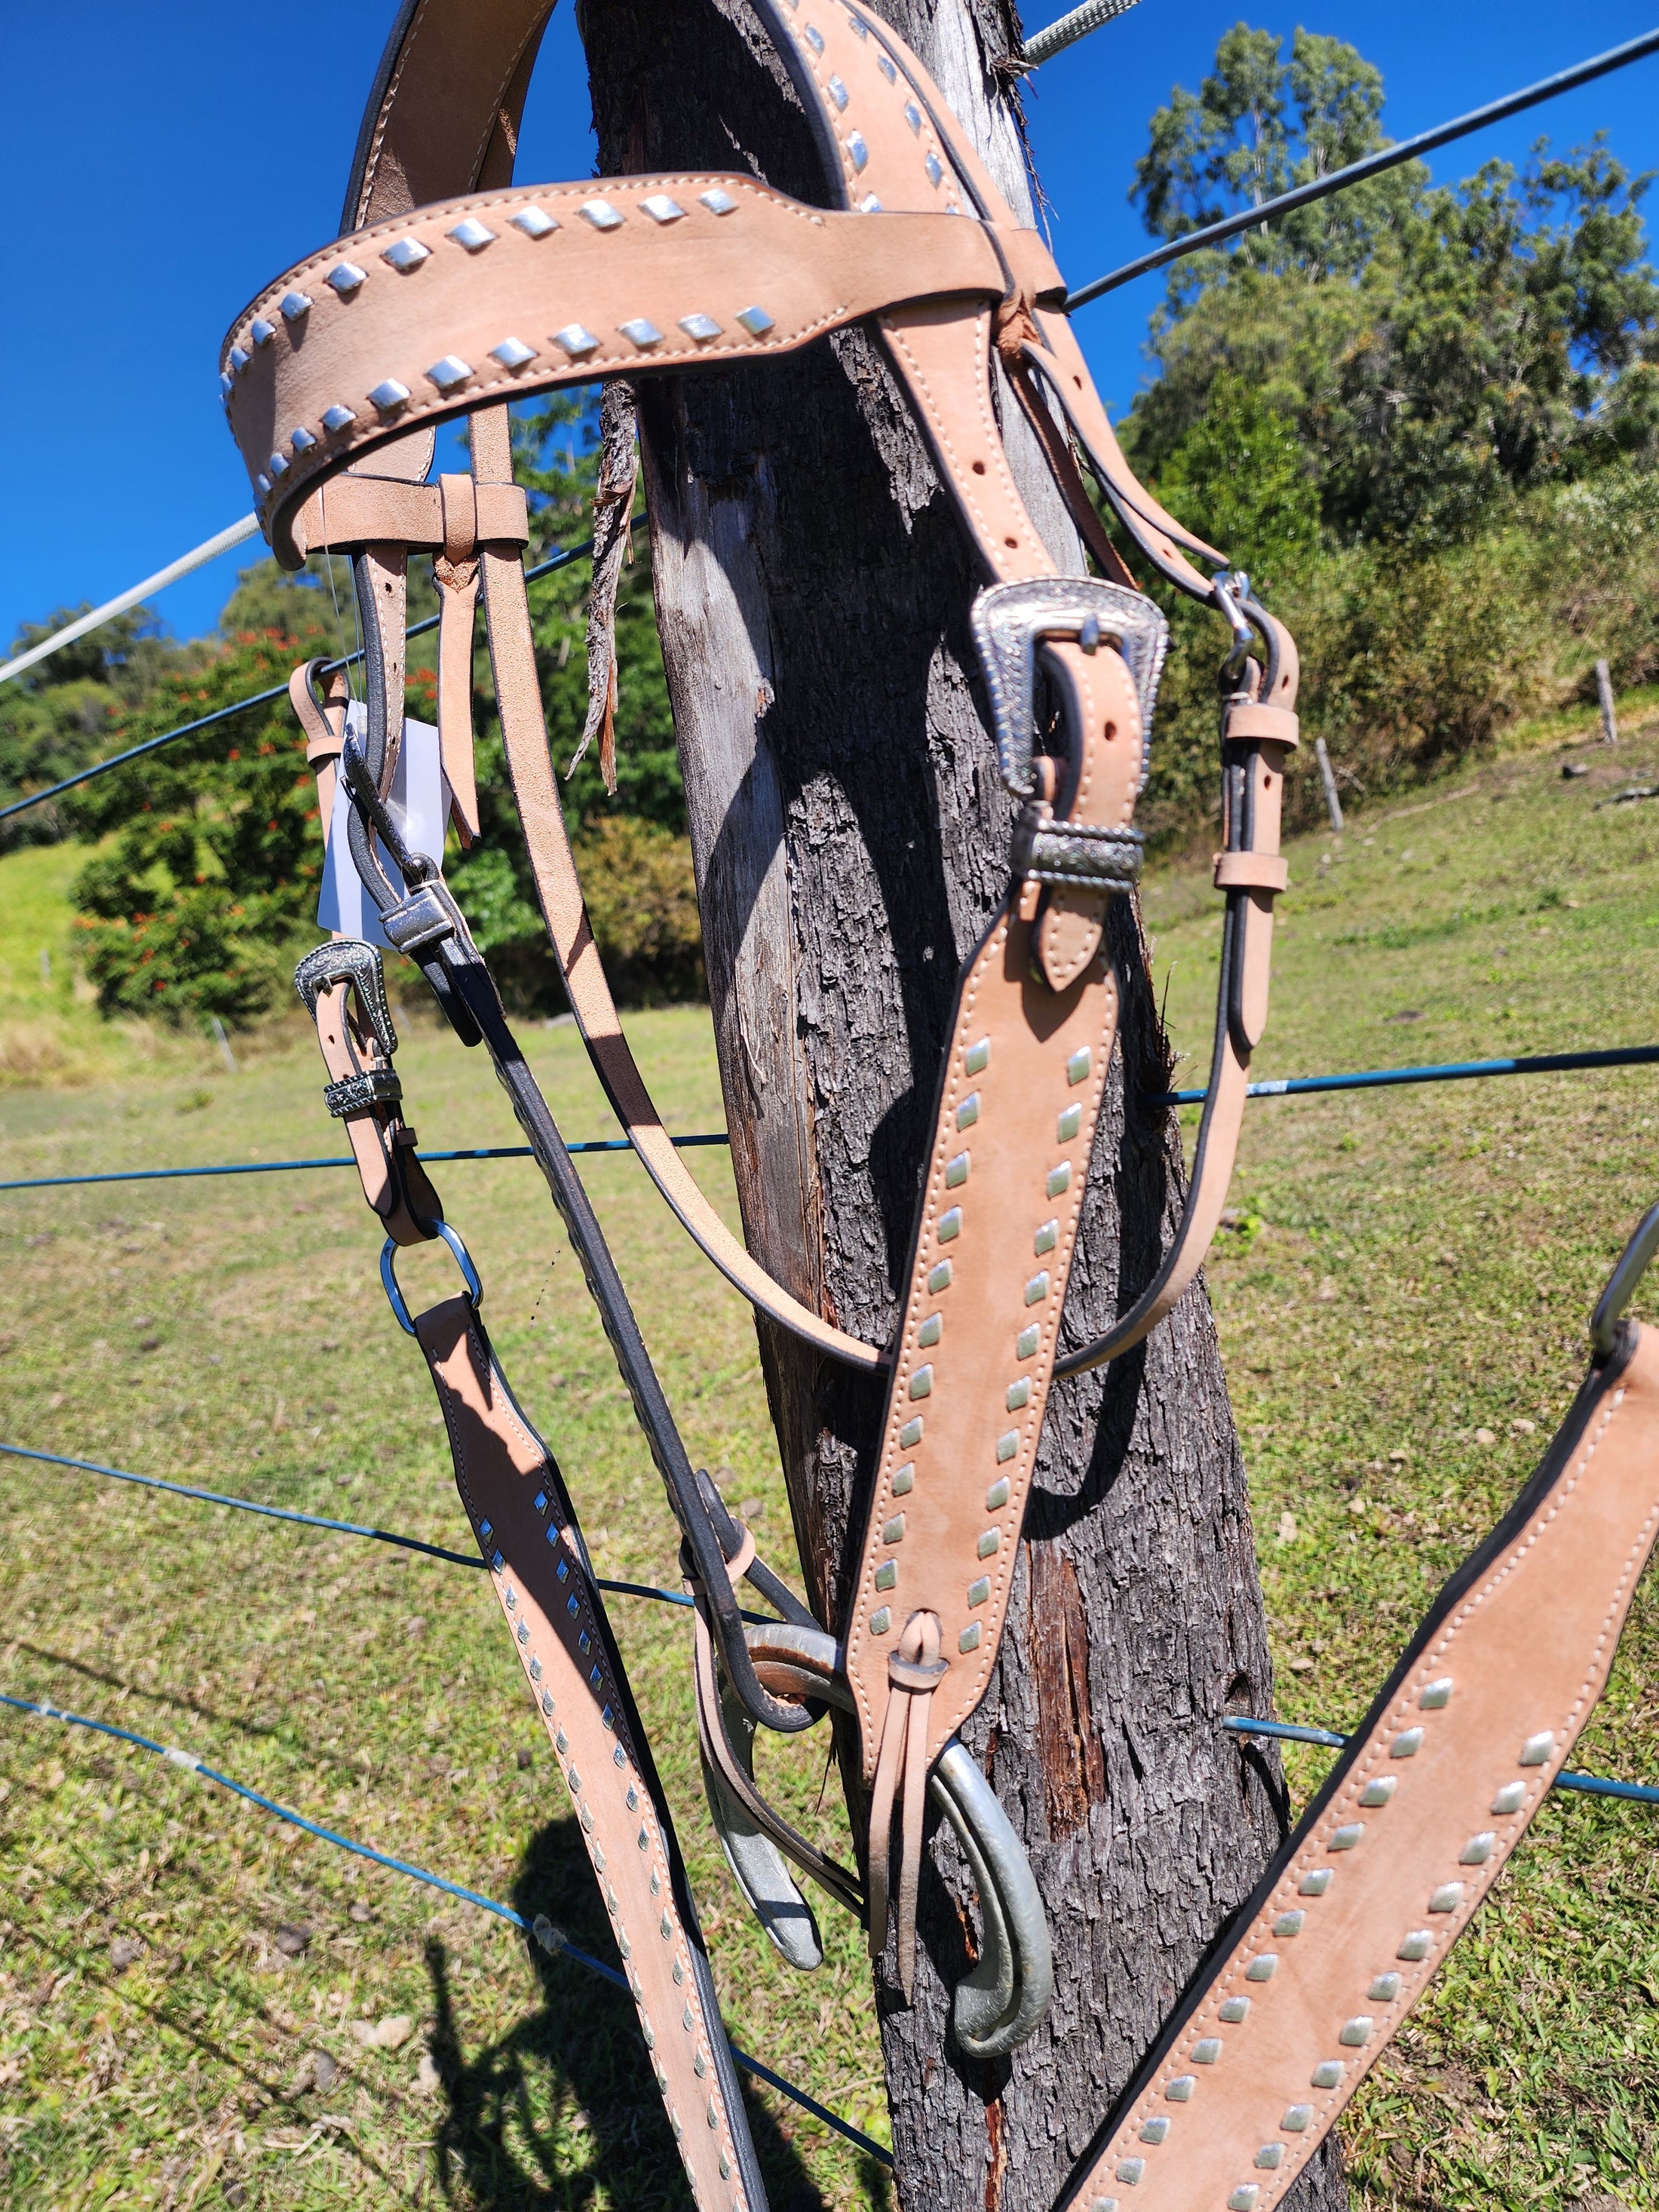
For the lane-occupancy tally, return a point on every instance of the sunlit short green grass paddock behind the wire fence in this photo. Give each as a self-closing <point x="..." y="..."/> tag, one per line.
<point x="1401" y="1302"/>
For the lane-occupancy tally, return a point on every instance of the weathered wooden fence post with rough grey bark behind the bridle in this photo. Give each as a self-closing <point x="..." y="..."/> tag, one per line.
<point x="851" y="842"/>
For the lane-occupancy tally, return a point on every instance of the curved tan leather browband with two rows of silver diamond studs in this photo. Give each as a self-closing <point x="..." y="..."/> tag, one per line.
<point x="514" y="293"/>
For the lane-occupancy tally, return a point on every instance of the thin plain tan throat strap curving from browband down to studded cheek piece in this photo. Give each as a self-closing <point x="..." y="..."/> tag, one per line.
<point x="519" y="700"/>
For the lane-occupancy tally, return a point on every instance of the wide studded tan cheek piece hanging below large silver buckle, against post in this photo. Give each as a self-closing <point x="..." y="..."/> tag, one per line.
<point x="988" y="1282"/>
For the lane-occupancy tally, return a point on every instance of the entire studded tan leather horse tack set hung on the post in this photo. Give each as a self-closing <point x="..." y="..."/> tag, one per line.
<point x="455" y="291"/>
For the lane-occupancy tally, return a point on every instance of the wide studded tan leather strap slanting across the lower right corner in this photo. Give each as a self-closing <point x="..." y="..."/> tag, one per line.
<point x="1406" y="1837"/>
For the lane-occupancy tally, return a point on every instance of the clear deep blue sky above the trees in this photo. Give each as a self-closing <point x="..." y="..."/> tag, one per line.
<point x="165" y="163"/>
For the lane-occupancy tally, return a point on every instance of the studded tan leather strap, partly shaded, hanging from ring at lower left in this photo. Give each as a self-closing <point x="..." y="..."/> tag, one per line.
<point x="554" y="1614"/>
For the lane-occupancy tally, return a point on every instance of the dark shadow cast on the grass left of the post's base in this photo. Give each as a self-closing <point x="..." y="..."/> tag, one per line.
<point x="563" y="2109"/>
